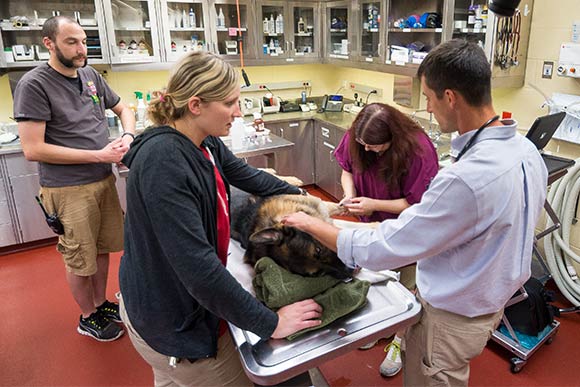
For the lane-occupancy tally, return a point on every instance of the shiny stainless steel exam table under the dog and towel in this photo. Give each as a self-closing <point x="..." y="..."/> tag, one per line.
<point x="390" y="307"/>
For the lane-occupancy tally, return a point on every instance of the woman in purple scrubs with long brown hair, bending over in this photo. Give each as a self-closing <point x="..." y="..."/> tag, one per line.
<point x="387" y="162"/>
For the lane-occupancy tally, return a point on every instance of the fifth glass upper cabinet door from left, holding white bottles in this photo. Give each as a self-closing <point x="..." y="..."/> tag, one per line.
<point x="274" y="41"/>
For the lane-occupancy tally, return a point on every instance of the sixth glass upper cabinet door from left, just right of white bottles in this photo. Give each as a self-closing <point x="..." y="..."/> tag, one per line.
<point x="304" y="28"/>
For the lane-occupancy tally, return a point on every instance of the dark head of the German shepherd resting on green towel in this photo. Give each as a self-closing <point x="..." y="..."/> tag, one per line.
<point x="297" y="252"/>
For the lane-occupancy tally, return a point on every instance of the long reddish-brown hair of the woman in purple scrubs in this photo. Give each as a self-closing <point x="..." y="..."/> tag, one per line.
<point x="379" y="123"/>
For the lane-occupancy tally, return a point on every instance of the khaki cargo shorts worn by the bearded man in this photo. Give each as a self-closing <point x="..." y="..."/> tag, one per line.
<point x="93" y="222"/>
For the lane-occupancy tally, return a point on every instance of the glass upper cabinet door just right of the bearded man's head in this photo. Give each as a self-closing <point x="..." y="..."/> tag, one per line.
<point x="132" y="31"/>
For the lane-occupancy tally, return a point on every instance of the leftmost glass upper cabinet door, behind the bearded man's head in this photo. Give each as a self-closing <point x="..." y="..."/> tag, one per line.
<point x="20" y="30"/>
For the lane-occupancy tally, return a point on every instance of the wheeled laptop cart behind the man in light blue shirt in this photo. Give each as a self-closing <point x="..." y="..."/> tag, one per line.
<point x="510" y="341"/>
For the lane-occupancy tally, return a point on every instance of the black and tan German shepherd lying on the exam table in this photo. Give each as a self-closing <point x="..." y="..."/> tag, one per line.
<point x="256" y="224"/>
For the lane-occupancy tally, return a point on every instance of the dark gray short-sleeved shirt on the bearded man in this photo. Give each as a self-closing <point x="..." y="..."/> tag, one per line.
<point x="74" y="119"/>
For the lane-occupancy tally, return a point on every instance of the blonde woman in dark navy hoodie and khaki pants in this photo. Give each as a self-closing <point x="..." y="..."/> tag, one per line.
<point x="176" y="291"/>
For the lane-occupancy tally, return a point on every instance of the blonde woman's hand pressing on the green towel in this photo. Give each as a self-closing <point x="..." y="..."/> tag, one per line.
<point x="297" y="316"/>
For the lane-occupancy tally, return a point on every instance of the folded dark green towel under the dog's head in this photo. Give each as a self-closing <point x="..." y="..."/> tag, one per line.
<point x="276" y="287"/>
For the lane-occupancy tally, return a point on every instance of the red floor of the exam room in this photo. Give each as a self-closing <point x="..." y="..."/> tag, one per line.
<point x="39" y="345"/>
